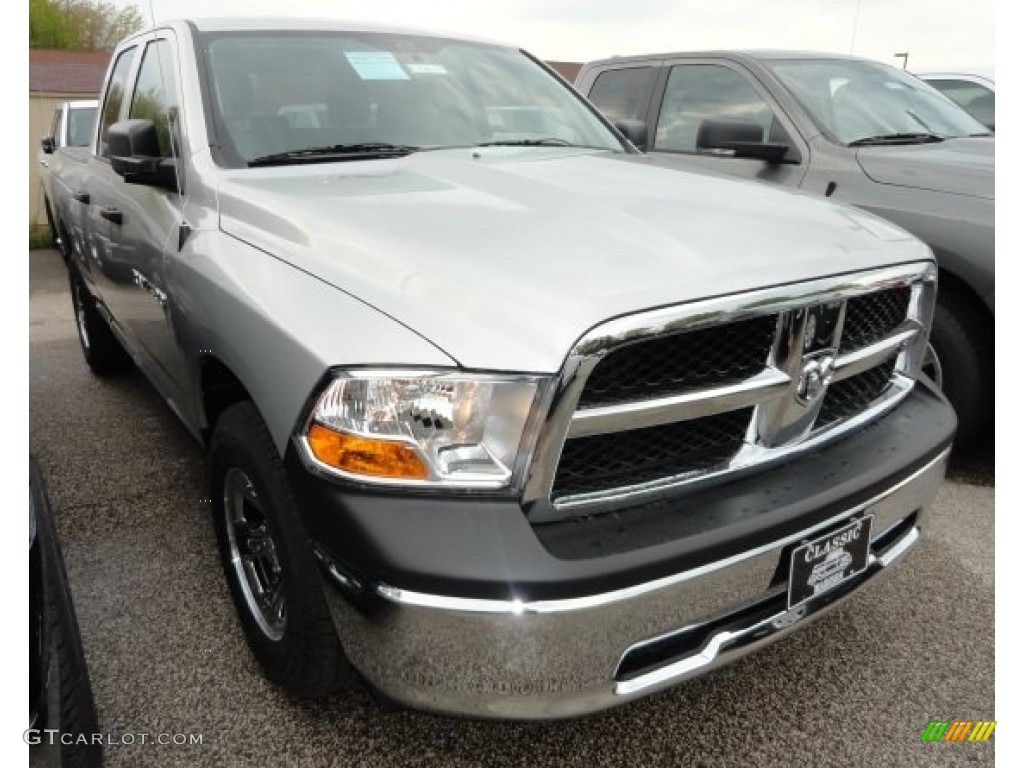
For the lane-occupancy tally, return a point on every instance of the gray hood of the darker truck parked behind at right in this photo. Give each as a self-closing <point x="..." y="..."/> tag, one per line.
<point x="959" y="166"/>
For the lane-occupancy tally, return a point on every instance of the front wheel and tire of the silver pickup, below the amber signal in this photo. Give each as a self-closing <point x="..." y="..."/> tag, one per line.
<point x="269" y="560"/>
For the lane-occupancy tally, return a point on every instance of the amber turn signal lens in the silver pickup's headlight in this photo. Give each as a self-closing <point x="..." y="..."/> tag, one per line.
<point x="366" y="456"/>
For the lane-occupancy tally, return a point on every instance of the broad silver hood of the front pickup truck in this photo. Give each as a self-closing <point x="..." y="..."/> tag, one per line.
<point x="504" y="258"/>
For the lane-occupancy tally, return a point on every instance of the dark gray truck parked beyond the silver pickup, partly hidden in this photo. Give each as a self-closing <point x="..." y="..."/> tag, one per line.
<point x="849" y="130"/>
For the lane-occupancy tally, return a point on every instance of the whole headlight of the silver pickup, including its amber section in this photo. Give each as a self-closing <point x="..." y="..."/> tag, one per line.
<point x="422" y="429"/>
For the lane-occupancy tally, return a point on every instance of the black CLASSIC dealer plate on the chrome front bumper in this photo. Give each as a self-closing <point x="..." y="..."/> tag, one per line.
<point x="825" y="564"/>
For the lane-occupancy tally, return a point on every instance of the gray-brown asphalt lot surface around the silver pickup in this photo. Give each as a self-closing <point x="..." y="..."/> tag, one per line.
<point x="166" y="654"/>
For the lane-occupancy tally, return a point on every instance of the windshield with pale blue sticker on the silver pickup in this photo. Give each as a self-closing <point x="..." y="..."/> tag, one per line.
<point x="279" y="98"/>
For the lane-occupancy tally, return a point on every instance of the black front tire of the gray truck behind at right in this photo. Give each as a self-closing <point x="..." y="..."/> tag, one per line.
<point x="963" y="343"/>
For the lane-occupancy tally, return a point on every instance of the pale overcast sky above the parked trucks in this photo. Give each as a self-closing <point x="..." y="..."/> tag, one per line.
<point x="937" y="33"/>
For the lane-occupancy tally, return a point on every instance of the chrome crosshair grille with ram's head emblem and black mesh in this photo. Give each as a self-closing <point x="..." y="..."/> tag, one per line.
<point x="686" y="395"/>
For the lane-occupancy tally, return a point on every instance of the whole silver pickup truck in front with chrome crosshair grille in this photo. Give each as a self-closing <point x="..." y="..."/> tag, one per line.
<point x="501" y="418"/>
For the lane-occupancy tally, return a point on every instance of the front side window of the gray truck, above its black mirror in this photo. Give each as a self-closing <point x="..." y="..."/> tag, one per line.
<point x="699" y="93"/>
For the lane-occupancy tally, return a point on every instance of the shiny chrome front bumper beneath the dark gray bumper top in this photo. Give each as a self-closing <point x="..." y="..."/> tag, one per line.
<point x="556" y="659"/>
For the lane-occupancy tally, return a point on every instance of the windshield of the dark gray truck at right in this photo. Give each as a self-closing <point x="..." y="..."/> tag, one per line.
<point x="865" y="103"/>
